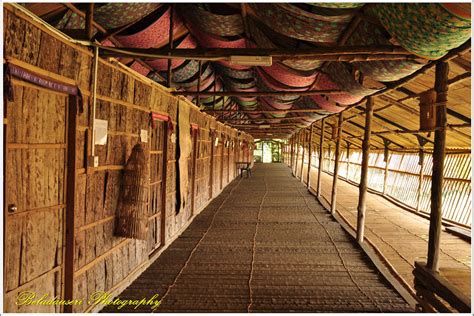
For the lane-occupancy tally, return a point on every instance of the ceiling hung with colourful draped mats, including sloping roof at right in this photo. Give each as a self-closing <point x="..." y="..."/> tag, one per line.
<point x="327" y="58"/>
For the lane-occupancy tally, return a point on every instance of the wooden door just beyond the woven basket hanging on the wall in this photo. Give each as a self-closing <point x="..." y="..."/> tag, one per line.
<point x="156" y="191"/>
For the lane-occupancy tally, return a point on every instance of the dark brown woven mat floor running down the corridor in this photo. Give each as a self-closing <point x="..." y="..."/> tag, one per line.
<point x="264" y="245"/>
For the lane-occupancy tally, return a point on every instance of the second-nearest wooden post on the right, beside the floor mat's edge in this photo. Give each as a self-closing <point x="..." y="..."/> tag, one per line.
<point x="369" y="109"/>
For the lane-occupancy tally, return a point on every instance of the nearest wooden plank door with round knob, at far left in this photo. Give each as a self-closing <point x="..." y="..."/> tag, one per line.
<point x="35" y="195"/>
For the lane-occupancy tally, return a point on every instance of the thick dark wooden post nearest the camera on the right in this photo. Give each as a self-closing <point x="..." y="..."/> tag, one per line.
<point x="439" y="151"/>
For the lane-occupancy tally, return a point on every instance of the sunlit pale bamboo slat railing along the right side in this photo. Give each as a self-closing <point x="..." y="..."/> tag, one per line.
<point x="403" y="179"/>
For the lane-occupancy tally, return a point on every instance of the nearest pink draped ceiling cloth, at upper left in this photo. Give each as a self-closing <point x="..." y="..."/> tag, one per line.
<point x="154" y="34"/>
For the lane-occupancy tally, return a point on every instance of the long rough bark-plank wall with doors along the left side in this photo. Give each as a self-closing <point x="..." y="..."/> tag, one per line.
<point x="36" y="169"/>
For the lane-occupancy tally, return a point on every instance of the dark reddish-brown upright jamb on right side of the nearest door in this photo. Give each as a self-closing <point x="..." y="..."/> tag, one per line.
<point x="70" y="202"/>
